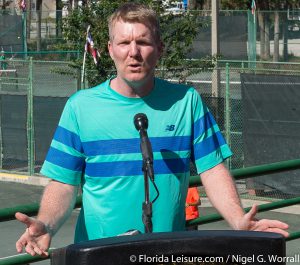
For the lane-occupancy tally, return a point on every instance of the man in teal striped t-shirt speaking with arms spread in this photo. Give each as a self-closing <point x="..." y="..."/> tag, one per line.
<point x="96" y="146"/>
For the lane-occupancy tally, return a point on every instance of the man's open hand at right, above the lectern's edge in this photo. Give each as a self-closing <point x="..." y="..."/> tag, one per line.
<point x="249" y="222"/>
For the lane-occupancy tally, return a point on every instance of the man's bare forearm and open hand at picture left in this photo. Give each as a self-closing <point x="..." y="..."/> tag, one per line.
<point x="56" y="205"/>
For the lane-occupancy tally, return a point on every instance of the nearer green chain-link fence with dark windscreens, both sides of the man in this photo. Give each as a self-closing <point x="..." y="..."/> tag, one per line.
<point x="33" y="96"/>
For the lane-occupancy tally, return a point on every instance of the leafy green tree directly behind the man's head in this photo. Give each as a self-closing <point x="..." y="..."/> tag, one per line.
<point x="178" y="33"/>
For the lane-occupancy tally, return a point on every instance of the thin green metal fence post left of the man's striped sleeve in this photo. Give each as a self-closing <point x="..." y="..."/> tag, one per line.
<point x="30" y="125"/>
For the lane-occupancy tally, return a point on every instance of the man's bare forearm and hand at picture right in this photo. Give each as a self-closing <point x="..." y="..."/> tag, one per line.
<point x="221" y="190"/>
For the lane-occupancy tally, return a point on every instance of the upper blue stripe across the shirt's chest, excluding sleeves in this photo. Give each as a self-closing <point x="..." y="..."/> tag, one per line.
<point x="127" y="146"/>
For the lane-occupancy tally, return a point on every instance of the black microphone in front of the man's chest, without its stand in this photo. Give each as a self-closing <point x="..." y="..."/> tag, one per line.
<point x="141" y="124"/>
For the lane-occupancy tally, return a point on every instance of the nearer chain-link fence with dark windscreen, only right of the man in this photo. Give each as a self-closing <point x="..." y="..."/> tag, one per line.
<point x="256" y="107"/>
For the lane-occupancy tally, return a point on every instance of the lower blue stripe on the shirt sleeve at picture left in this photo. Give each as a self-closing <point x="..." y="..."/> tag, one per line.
<point x="65" y="160"/>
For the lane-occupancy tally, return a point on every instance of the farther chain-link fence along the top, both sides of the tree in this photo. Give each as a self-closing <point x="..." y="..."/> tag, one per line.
<point x="268" y="35"/>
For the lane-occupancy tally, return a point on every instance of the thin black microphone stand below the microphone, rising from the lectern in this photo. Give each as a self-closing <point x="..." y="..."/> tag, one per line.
<point x="147" y="204"/>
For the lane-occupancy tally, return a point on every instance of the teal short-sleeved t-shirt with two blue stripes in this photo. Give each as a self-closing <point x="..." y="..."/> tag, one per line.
<point x="97" y="145"/>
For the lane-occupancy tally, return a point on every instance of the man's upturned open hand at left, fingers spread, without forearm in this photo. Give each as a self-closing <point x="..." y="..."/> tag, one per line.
<point x="36" y="239"/>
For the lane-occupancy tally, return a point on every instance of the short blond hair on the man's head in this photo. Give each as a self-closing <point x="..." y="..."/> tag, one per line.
<point x="135" y="13"/>
